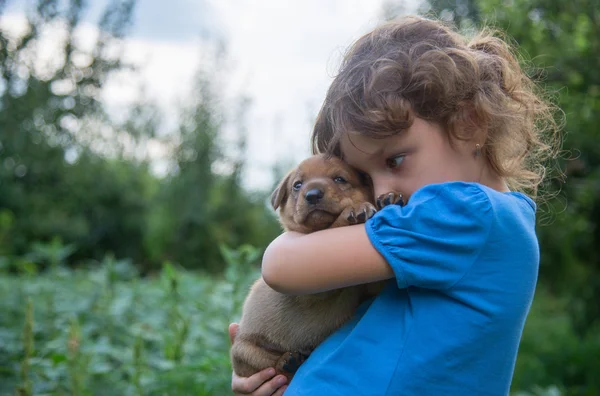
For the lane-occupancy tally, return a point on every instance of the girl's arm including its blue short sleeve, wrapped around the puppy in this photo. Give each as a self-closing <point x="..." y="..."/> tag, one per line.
<point x="431" y="242"/>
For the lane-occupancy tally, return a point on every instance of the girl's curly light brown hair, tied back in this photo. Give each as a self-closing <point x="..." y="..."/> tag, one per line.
<point x="417" y="67"/>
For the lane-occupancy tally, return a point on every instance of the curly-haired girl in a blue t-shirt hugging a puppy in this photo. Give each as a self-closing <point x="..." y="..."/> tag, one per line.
<point x="453" y="125"/>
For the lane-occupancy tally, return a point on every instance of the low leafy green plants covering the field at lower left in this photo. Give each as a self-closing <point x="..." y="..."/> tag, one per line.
<point x="106" y="332"/>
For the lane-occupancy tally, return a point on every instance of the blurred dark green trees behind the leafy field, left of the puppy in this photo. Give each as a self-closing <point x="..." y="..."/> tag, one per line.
<point x="72" y="178"/>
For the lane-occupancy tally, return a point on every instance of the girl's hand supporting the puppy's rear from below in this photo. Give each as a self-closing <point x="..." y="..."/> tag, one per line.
<point x="263" y="383"/>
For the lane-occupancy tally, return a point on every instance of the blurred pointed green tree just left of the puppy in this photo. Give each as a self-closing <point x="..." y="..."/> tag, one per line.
<point x="201" y="207"/>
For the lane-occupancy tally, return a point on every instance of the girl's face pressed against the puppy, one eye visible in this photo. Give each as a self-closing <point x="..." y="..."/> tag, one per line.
<point x="417" y="157"/>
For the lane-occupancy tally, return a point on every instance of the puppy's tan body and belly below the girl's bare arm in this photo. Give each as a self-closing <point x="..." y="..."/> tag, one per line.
<point x="295" y="324"/>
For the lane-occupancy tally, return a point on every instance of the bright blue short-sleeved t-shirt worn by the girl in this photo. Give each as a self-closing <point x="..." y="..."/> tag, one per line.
<point x="466" y="261"/>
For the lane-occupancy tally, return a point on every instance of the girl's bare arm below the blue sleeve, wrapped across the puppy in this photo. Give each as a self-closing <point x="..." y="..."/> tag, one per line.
<point x="324" y="260"/>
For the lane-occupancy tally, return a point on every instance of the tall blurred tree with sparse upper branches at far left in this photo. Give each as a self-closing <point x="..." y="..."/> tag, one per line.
<point x="53" y="182"/>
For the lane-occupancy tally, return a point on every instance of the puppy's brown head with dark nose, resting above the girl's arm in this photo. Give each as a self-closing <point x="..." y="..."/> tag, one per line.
<point x="315" y="193"/>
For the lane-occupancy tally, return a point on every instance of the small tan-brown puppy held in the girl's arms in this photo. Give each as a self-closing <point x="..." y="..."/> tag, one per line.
<point x="278" y="330"/>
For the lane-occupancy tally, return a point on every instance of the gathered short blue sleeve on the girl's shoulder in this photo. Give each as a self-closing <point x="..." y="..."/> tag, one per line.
<point x="434" y="239"/>
